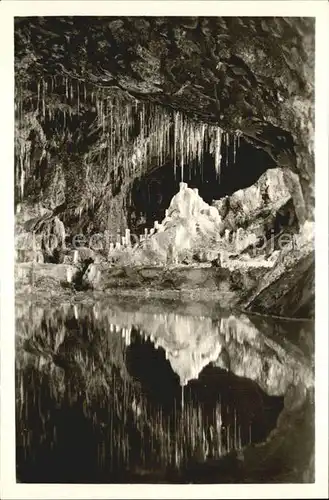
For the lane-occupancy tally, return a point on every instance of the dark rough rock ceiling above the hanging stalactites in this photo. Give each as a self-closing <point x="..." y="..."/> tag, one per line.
<point x="237" y="72"/>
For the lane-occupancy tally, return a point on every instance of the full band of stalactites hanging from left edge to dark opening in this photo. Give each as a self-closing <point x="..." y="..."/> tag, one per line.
<point x="133" y="136"/>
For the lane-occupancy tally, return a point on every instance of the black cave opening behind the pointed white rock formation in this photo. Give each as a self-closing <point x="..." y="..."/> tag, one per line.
<point x="151" y="194"/>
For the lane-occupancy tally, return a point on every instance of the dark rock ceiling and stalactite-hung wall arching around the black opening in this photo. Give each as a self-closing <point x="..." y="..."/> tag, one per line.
<point x="251" y="77"/>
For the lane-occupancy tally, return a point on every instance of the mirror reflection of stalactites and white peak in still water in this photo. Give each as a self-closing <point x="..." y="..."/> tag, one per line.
<point x="108" y="394"/>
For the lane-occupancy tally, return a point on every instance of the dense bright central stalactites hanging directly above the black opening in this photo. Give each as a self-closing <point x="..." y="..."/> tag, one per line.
<point x="163" y="137"/>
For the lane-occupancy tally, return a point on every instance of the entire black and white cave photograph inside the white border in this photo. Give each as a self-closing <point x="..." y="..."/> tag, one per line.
<point x="164" y="249"/>
